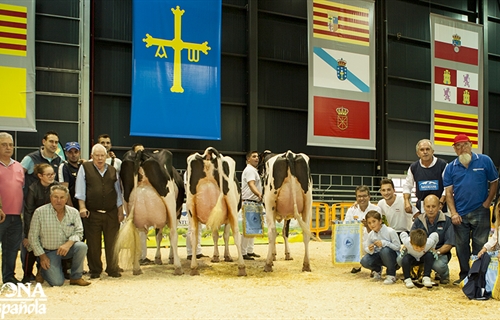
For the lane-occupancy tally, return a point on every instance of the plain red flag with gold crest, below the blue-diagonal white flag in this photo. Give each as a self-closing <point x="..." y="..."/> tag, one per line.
<point x="341" y="118"/>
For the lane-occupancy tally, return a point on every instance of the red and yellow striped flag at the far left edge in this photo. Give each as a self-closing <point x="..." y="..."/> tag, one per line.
<point x="13" y="30"/>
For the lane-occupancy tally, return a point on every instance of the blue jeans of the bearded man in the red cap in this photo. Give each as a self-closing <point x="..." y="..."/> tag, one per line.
<point x="476" y="226"/>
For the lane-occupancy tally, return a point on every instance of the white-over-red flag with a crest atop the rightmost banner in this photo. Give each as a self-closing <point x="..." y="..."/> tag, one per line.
<point x="455" y="44"/>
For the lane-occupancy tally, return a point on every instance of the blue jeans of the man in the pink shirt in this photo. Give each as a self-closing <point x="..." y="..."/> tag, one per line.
<point x="11" y="232"/>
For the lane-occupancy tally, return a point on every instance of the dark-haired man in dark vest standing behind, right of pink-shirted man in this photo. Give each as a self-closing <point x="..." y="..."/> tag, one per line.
<point x="46" y="154"/>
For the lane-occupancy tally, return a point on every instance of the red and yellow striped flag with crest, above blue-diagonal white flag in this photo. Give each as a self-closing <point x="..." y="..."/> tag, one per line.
<point x="341" y="22"/>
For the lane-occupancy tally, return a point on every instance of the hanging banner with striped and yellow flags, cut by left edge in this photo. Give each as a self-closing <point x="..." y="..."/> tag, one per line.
<point x="17" y="65"/>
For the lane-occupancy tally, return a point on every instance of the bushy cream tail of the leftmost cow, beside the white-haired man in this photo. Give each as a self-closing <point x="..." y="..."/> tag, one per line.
<point x="128" y="245"/>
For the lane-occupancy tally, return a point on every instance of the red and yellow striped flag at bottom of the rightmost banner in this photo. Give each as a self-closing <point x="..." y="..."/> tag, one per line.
<point x="448" y="124"/>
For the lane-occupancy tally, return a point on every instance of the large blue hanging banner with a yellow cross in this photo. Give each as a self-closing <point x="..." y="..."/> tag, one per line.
<point x="176" y="69"/>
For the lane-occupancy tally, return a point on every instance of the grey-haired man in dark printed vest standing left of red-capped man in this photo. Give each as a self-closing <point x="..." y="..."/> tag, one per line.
<point x="427" y="176"/>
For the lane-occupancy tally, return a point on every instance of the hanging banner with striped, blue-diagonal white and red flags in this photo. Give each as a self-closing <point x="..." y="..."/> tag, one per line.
<point x="341" y="74"/>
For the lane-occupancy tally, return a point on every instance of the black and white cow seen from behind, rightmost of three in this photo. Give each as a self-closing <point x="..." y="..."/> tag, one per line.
<point x="287" y="195"/>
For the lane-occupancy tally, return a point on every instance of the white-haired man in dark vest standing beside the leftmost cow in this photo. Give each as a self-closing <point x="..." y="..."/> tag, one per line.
<point x="99" y="195"/>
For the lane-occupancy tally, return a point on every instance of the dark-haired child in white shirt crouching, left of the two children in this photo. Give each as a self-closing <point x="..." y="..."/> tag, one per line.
<point x="381" y="246"/>
